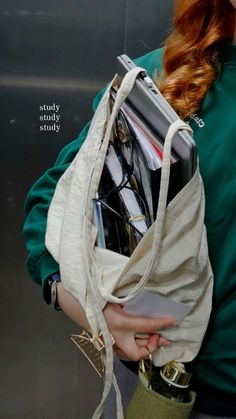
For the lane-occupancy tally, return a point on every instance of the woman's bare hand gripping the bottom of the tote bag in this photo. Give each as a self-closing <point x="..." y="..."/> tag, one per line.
<point x="123" y="327"/>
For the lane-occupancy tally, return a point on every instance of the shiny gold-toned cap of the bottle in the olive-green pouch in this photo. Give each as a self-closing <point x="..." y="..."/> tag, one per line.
<point x="175" y="373"/>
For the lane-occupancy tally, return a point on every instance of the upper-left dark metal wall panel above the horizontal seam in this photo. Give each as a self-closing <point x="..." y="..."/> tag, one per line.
<point x="68" y="38"/>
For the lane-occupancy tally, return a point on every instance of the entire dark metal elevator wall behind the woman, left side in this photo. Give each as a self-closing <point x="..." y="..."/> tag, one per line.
<point x="62" y="52"/>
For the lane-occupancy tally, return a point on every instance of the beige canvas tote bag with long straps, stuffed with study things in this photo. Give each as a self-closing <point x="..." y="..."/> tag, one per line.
<point x="171" y="259"/>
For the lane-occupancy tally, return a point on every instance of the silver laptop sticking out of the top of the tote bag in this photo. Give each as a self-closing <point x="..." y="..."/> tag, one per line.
<point x="148" y="102"/>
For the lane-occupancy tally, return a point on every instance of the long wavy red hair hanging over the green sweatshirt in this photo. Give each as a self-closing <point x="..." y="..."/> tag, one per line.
<point x="192" y="51"/>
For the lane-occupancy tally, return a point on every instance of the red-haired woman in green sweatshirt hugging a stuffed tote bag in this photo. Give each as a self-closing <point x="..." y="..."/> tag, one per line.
<point x="196" y="73"/>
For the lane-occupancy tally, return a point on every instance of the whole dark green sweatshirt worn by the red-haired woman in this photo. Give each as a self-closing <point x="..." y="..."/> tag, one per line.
<point x="214" y="129"/>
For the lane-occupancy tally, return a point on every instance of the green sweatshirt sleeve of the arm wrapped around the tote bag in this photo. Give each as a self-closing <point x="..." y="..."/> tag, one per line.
<point x="40" y="264"/>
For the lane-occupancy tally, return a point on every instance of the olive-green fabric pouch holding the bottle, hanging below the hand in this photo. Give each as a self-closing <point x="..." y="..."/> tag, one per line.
<point x="148" y="404"/>
